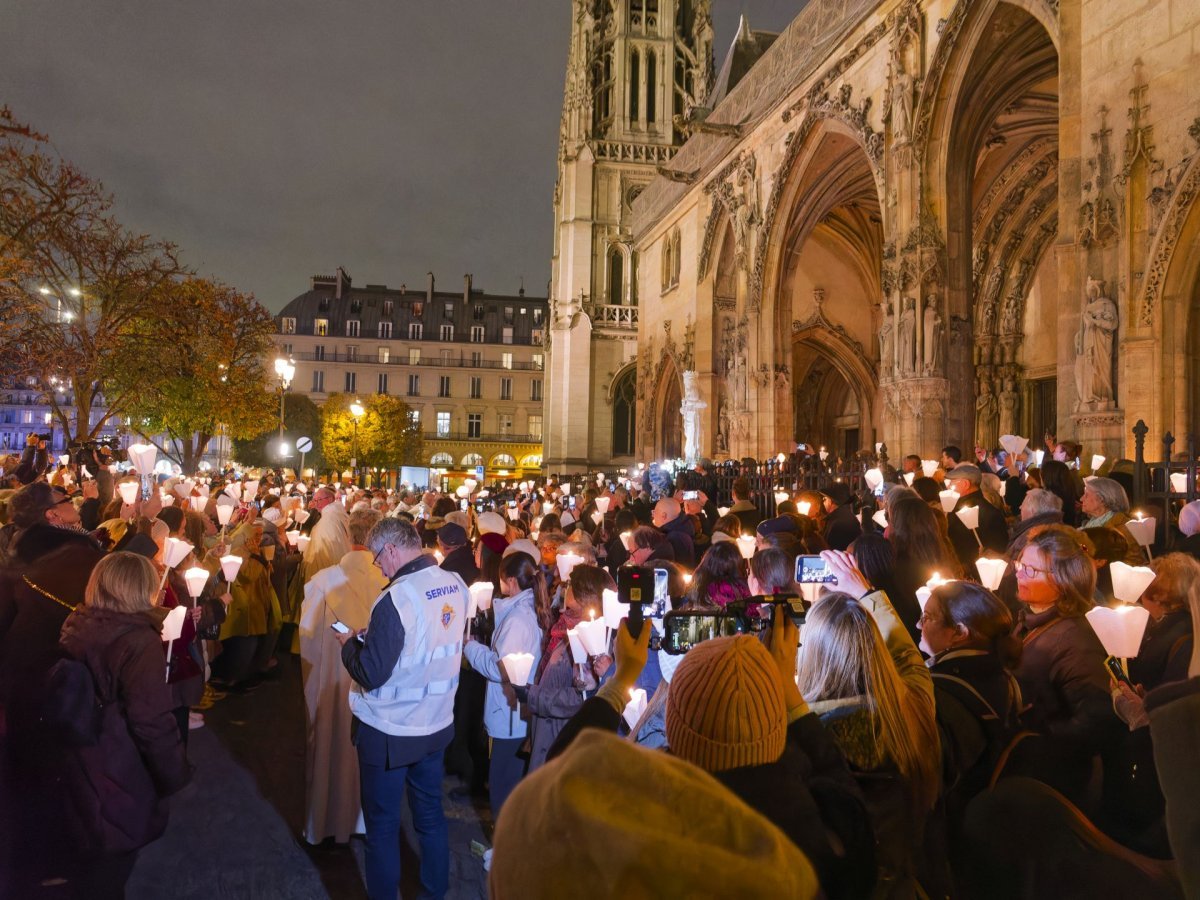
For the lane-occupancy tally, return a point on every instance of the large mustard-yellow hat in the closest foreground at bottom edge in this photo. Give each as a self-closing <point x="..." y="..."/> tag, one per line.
<point x="609" y="819"/>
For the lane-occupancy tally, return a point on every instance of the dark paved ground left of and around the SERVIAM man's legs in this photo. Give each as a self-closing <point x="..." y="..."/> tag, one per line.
<point x="235" y="833"/>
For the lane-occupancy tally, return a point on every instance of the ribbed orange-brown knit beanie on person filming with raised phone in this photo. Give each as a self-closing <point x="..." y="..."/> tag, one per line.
<point x="727" y="706"/>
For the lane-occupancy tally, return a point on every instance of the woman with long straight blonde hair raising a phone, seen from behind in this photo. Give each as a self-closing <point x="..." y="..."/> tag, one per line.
<point x="863" y="676"/>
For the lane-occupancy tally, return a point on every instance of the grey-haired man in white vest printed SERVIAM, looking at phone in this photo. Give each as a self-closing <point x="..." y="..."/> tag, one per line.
<point x="406" y="671"/>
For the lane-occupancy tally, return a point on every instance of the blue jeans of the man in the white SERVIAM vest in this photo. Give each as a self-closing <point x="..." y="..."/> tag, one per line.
<point x="382" y="793"/>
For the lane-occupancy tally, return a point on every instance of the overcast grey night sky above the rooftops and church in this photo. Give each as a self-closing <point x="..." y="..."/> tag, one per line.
<point x="277" y="141"/>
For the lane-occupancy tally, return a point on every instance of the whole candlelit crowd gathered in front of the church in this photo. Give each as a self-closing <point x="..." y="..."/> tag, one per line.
<point x="917" y="722"/>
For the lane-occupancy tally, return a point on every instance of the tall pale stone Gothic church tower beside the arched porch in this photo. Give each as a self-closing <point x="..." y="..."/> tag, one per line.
<point x="637" y="71"/>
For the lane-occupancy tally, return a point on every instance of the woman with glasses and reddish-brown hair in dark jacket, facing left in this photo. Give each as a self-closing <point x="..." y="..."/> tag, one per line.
<point x="1063" y="674"/>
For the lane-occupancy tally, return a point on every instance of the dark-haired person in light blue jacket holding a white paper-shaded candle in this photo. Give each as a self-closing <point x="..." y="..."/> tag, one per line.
<point x="523" y="617"/>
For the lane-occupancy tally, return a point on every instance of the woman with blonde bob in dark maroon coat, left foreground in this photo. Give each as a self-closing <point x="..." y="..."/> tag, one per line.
<point x="116" y="788"/>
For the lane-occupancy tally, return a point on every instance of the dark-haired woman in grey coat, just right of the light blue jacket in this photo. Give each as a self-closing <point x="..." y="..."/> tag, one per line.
<point x="556" y="693"/>
